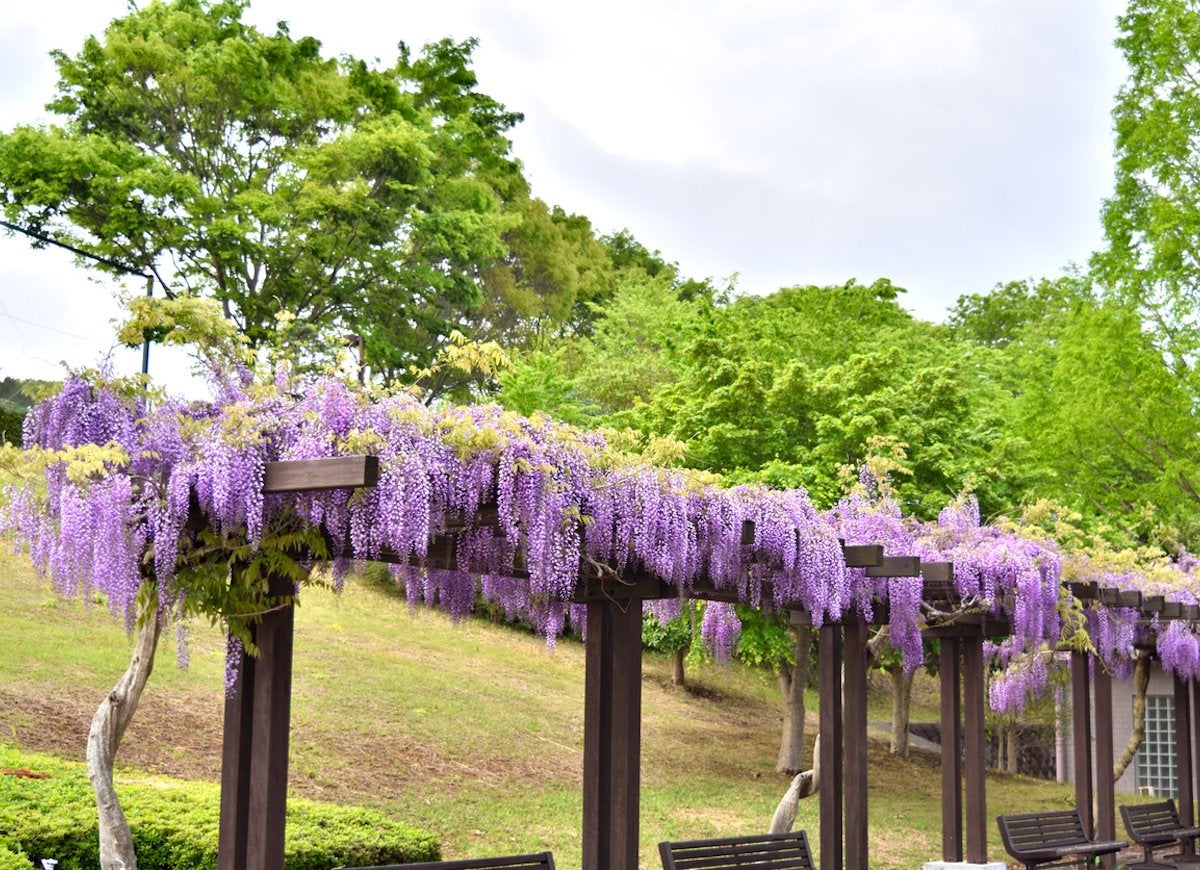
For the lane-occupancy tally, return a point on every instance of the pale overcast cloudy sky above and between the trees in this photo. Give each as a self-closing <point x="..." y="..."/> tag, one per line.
<point x="945" y="145"/>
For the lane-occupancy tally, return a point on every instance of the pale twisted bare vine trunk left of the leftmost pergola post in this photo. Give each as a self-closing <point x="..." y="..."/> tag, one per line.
<point x="109" y="728"/>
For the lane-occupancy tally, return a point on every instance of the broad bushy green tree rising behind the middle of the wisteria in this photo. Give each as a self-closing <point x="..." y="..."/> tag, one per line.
<point x="787" y="389"/>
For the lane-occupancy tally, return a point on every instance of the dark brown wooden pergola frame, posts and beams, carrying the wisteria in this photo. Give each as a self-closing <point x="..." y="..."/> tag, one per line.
<point x="255" y="764"/>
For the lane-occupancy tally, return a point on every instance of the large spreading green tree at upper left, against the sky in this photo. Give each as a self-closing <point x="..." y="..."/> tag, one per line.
<point x="249" y="167"/>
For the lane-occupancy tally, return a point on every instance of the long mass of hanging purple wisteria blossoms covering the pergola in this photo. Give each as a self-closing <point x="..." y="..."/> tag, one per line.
<point x="527" y="511"/>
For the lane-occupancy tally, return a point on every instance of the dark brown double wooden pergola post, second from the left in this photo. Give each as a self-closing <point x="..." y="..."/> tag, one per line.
<point x="613" y="735"/>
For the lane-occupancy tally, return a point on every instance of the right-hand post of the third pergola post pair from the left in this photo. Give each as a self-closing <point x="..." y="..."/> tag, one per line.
<point x="855" y="746"/>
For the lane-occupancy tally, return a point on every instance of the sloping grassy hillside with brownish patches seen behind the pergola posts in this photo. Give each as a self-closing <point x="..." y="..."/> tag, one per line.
<point x="470" y="731"/>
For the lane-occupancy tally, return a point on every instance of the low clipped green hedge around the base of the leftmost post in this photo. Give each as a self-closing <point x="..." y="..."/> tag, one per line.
<point x="175" y="824"/>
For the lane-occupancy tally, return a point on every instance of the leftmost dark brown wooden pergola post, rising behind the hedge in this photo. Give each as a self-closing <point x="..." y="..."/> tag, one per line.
<point x="255" y="763"/>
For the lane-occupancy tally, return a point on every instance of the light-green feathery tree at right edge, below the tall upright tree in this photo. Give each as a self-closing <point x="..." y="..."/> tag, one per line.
<point x="1114" y="430"/>
